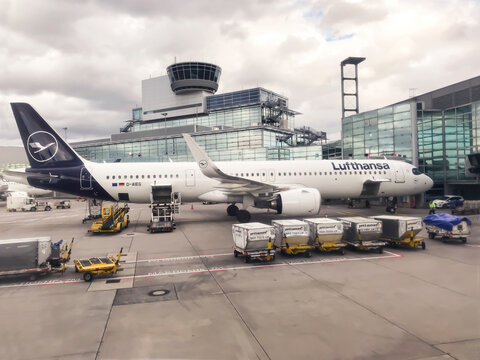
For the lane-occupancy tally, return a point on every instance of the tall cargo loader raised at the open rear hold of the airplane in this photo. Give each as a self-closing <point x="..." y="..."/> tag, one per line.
<point x="165" y="204"/>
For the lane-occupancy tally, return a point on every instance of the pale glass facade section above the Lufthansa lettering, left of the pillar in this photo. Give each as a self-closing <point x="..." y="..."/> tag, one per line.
<point x="382" y="132"/>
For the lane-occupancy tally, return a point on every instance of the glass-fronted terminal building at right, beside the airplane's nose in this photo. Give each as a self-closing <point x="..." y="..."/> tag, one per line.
<point x="438" y="131"/>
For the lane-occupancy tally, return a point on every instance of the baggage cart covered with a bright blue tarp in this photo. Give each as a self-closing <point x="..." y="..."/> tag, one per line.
<point x="447" y="227"/>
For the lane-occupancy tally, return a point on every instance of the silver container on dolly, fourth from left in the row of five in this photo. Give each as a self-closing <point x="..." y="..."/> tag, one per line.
<point x="363" y="233"/>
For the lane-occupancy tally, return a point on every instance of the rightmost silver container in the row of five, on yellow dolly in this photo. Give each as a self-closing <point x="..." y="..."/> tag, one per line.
<point x="401" y="230"/>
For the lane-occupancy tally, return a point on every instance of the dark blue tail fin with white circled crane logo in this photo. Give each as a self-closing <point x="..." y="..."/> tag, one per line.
<point x="44" y="148"/>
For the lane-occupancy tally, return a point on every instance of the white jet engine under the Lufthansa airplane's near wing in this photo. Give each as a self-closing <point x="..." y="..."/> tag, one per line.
<point x="297" y="202"/>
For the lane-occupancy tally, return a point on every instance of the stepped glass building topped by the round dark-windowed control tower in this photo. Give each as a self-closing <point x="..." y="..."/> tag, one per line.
<point x="252" y="124"/>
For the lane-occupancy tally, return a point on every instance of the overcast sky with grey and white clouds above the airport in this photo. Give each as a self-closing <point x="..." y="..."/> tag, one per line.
<point x="80" y="63"/>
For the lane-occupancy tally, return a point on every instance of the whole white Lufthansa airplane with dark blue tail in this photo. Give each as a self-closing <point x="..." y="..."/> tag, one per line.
<point x="292" y="188"/>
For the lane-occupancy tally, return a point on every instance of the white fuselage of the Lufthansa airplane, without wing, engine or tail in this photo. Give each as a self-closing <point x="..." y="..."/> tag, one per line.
<point x="333" y="178"/>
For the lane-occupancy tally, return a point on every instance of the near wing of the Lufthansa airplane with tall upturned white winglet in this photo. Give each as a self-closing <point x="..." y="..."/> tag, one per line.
<point x="229" y="184"/>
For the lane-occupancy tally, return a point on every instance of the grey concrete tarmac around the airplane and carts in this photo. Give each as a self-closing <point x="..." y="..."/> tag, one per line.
<point x="183" y="295"/>
